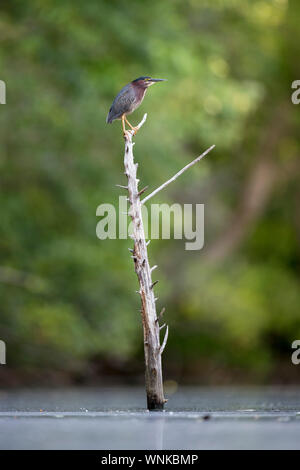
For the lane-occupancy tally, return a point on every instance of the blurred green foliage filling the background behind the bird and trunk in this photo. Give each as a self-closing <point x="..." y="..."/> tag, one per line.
<point x="69" y="297"/>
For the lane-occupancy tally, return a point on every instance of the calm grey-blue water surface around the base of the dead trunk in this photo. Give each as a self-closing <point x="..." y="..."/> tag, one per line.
<point x="115" y="418"/>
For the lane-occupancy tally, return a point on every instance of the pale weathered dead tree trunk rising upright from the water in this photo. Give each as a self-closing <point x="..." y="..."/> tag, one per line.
<point x="152" y="348"/>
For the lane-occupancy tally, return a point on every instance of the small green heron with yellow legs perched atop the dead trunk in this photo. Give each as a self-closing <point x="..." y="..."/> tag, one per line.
<point x="129" y="98"/>
